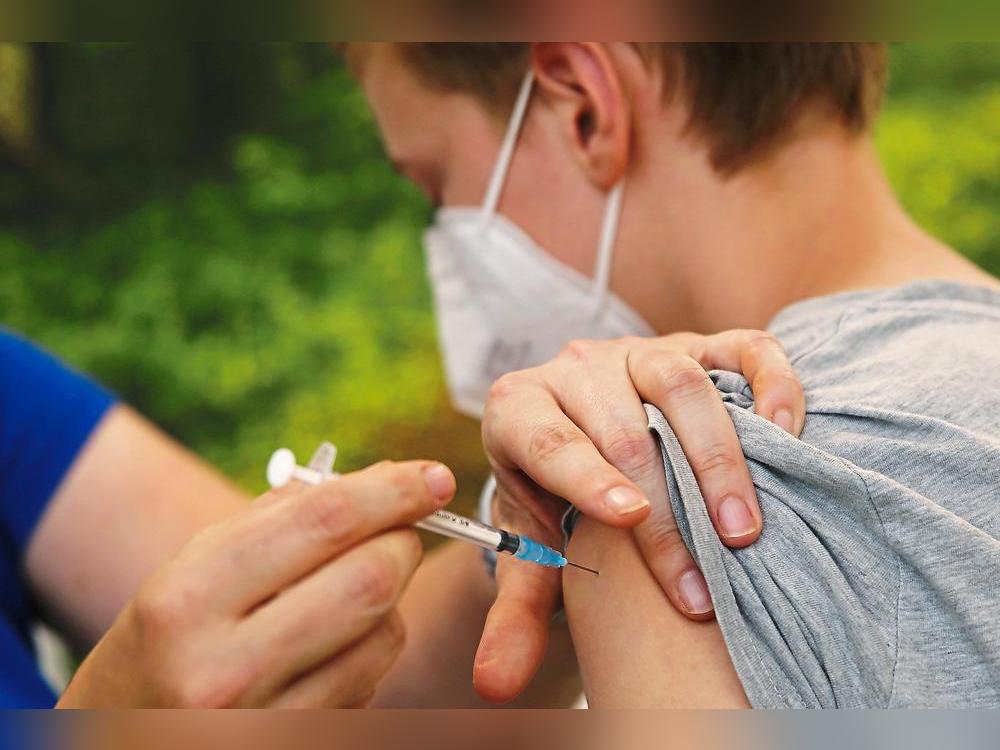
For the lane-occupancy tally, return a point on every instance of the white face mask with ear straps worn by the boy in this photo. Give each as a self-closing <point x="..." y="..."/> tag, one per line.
<point x="502" y="302"/>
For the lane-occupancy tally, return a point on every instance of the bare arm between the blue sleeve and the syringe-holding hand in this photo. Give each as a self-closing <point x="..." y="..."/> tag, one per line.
<point x="129" y="503"/>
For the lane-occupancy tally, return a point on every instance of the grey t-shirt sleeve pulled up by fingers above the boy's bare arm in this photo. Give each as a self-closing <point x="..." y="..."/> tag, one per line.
<point x="808" y="612"/>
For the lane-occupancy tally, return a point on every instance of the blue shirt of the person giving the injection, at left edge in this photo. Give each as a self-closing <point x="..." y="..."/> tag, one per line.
<point x="47" y="412"/>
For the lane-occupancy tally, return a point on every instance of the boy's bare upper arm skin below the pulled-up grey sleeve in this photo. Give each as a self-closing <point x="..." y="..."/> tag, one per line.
<point x="635" y="649"/>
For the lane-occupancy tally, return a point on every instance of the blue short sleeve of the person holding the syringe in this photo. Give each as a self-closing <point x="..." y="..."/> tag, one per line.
<point x="47" y="412"/>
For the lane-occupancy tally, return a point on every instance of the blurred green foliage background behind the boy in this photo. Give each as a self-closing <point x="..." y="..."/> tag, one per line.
<point x="212" y="231"/>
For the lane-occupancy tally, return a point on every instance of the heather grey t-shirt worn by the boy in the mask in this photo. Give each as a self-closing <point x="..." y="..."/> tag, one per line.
<point x="876" y="580"/>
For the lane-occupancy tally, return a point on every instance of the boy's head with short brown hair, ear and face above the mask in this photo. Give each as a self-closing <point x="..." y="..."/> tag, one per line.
<point x="668" y="119"/>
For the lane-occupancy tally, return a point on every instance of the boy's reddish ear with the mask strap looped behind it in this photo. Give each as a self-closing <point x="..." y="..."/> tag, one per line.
<point x="583" y="87"/>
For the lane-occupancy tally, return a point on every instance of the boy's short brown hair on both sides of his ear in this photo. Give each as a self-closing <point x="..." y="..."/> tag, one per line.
<point x="742" y="98"/>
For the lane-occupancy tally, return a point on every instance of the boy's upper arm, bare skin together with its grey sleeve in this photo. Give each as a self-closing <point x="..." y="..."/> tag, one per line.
<point x="795" y="611"/>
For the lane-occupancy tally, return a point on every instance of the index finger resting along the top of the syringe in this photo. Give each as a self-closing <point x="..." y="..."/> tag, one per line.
<point x="269" y="548"/>
